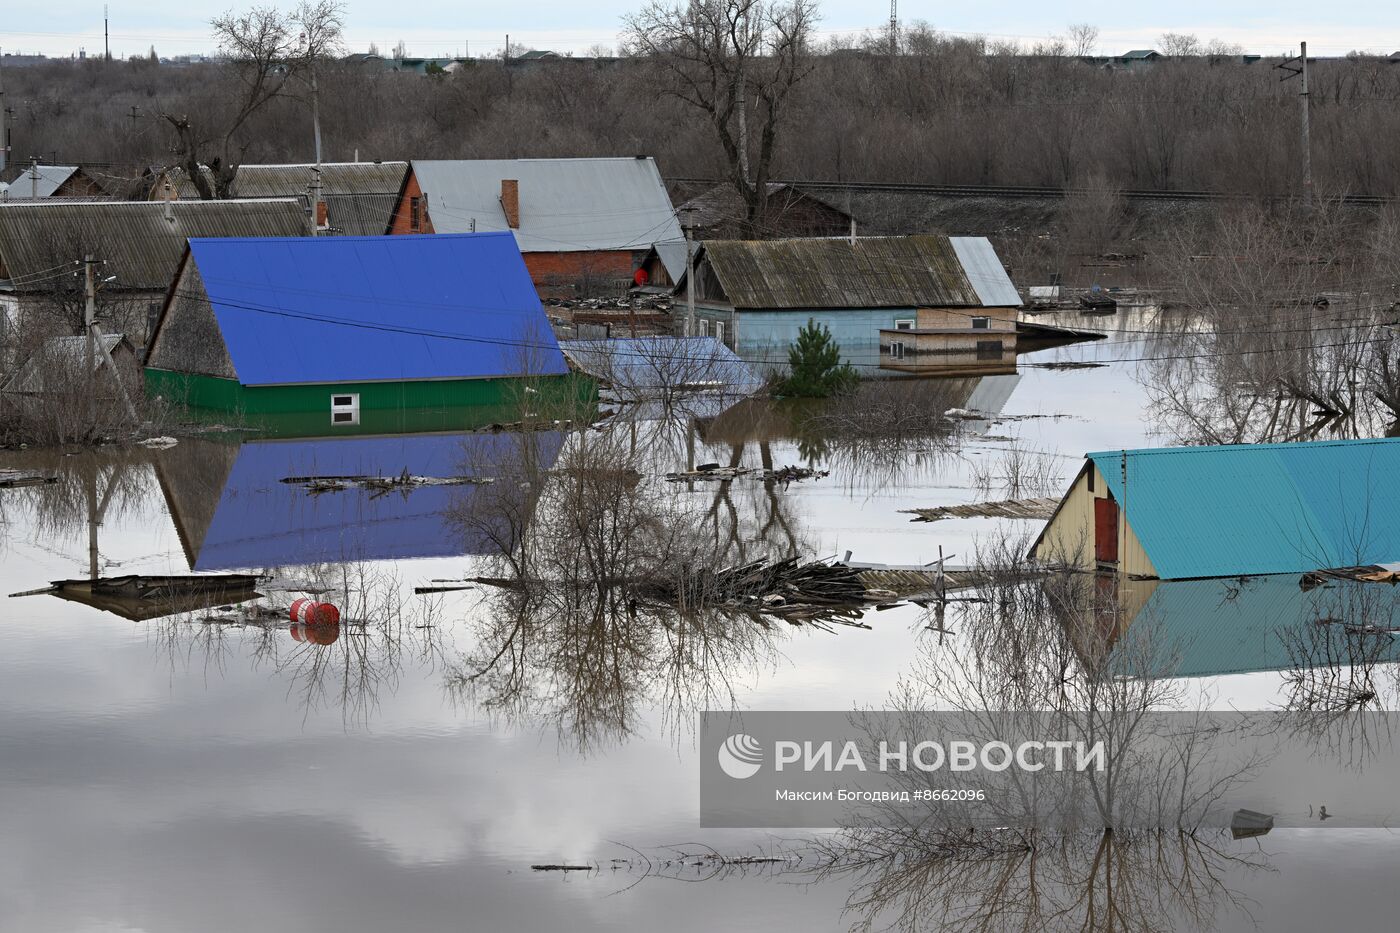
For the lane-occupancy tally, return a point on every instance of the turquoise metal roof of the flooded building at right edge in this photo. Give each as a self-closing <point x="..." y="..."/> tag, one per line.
<point x="1254" y="509"/>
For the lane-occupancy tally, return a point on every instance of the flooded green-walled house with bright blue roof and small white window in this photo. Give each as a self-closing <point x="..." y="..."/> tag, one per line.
<point x="342" y="326"/>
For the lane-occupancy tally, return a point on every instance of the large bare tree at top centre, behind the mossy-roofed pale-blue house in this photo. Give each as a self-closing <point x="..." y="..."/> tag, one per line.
<point x="724" y="58"/>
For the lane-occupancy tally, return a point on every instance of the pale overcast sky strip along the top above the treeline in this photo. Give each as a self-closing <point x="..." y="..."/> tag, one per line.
<point x="446" y="27"/>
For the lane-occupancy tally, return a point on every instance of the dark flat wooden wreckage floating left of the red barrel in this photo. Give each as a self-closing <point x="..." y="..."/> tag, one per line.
<point x="141" y="597"/>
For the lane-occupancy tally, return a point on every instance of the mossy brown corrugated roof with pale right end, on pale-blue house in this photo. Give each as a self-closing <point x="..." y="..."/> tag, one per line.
<point x="871" y="272"/>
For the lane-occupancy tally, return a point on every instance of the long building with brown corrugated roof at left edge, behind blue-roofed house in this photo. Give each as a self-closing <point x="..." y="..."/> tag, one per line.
<point x="139" y="244"/>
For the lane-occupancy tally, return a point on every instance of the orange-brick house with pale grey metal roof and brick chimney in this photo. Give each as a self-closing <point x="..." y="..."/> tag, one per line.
<point x="582" y="223"/>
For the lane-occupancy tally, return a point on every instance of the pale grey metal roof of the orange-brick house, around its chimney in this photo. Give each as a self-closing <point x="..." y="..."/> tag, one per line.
<point x="568" y="205"/>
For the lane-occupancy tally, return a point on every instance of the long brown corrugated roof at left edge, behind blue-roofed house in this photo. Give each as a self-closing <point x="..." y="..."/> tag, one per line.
<point x="135" y="239"/>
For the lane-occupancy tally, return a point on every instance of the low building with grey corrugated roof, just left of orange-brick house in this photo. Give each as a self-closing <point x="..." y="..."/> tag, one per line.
<point x="359" y="197"/>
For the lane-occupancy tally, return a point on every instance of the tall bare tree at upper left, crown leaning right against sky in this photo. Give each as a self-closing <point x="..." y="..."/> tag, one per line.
<point x="268" y="51"/>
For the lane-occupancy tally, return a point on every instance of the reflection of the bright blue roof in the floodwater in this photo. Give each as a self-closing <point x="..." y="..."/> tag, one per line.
<point x="262" y="522"/>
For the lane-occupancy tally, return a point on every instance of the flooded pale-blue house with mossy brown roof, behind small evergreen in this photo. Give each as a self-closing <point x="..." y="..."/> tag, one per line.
<point x="885" y="299"/>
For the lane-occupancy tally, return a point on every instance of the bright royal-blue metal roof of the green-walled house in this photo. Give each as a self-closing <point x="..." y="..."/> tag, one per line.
<point x="376" y="309"/>
